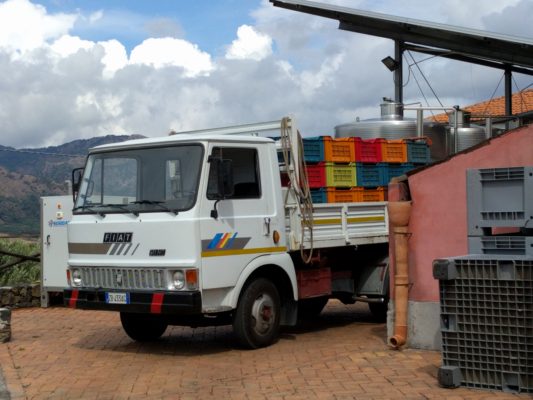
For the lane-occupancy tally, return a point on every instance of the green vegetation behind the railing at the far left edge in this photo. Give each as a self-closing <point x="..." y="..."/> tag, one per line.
<point x="24" y="273"/>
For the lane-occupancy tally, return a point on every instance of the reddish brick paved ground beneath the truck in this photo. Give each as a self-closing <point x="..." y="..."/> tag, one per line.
<point x="60" y="353"/>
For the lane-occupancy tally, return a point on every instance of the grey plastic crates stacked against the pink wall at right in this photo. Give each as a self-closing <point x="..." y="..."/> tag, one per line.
<point x="486" y="298"/>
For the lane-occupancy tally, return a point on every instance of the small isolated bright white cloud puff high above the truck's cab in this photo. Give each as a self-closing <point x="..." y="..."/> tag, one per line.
<point x="250" y="44"/>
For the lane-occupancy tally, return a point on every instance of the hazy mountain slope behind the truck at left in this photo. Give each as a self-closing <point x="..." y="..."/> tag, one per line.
<point x="27" y="174"/>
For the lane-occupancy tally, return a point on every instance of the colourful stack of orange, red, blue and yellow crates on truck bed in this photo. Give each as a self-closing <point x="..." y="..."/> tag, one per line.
<point x="351" y="169"/>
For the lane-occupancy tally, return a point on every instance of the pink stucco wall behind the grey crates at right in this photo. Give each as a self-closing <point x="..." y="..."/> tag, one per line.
<point x="438" y="223"/>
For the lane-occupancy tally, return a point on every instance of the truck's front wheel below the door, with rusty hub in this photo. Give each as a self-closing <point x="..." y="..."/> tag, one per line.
<point x="256" y="319"/>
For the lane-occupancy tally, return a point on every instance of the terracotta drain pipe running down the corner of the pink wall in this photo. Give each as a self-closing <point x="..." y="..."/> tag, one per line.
<point x="399" y="213"/>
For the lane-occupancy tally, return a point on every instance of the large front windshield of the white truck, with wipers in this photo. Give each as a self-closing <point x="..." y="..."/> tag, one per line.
<point x="141" y="180"/>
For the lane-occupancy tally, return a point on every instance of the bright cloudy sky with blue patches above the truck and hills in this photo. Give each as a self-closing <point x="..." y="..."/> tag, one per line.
<point x="75" y="69"/>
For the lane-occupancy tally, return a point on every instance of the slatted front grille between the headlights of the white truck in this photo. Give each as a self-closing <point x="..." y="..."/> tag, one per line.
<point x="123" y="278"/>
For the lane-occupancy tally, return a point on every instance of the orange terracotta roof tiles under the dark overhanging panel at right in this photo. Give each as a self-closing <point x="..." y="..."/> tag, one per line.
<point x="522" y="102"/>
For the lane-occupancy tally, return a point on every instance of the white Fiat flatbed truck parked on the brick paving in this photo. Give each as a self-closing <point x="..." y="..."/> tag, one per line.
<point x="196" y="229"/>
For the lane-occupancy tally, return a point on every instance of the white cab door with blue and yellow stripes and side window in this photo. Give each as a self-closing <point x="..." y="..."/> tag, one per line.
<point x="242" y="230"/>
